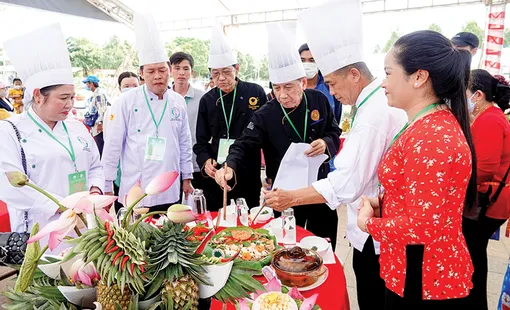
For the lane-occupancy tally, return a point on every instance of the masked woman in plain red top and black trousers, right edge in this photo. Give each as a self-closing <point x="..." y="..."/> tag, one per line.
<point x="488" y="98"/>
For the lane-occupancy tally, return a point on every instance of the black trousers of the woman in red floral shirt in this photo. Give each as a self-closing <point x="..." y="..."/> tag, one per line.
<point x="412" y="299"/>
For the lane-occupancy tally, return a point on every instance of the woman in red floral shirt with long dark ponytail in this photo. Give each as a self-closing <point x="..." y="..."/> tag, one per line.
<point x="427" y="175"/>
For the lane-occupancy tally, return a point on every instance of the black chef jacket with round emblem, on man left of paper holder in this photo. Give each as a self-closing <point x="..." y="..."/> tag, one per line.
<point x="211" y="127"/>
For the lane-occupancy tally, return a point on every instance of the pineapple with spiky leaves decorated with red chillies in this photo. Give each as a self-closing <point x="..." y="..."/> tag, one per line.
<point x="119" y="257"/>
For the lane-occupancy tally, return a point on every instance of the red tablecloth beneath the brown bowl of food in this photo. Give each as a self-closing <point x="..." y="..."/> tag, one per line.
<point x="332" y="294"/>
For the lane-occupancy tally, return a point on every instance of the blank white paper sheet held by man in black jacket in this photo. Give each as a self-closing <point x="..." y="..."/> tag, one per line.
<point x="296" y="169"/>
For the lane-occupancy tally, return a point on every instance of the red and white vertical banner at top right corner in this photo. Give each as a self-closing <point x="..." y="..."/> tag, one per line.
<point x="494" y="39"/>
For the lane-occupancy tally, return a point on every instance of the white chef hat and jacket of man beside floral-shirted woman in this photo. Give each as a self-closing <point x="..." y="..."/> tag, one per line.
<point x="336" y="45"/>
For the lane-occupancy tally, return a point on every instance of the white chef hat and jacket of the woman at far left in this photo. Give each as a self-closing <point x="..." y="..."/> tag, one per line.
<point x="44" y="63"/>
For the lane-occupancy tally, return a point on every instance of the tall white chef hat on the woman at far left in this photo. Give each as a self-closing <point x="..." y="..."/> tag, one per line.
<point x="41" y="59"/>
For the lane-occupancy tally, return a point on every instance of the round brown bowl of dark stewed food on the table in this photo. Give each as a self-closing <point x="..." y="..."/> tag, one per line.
<point x="298" y="267"/>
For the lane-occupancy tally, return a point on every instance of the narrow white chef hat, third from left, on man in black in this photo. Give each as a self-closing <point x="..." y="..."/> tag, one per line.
<point x="221" y="54"/>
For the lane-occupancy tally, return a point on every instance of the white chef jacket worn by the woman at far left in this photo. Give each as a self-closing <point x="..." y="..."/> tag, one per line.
<point x="48" y="164"/>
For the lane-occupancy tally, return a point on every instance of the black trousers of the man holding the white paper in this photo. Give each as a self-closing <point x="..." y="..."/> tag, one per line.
<point x="319" y="219"/>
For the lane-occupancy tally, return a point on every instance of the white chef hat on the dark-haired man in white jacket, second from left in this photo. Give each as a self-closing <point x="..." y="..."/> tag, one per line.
<point x="149" y="45"/>
